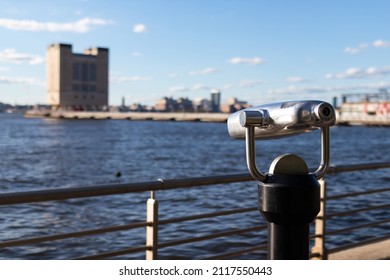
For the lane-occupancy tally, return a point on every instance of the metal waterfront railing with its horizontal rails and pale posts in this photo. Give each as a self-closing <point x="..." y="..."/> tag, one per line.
<point x="152" y="222"/>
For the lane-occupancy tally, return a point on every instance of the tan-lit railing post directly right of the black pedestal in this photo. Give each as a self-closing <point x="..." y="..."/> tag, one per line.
<point x="319" y="249"/>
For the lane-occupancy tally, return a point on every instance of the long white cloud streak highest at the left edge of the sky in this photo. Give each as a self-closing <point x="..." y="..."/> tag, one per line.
<point x="80" y="26"/>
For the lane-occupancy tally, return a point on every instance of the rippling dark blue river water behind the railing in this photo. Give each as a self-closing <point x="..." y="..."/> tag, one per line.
<point x="49" y="153"/>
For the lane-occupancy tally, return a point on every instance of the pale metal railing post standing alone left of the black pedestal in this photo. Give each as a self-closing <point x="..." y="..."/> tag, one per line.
<point x="152" y="227"/>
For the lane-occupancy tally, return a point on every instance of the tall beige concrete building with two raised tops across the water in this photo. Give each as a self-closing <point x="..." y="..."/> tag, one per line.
<point x="77" y="81"/>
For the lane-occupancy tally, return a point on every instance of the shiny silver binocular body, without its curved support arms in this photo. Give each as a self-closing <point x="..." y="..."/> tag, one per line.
<point x="277" y="120"/>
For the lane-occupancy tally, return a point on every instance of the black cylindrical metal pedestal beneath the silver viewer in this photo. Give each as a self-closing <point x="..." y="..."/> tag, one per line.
<point x="289" y="203"/>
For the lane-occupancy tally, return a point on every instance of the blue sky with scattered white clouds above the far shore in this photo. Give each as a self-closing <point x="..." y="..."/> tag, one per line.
<point x="259" y="51"/>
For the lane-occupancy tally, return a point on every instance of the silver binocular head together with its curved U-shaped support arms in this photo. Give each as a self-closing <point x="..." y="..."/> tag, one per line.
<point x="282" y="119"/>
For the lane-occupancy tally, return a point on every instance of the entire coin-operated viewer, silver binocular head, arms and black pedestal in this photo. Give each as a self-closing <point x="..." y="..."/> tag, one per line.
<point x="289" y="195"/>
